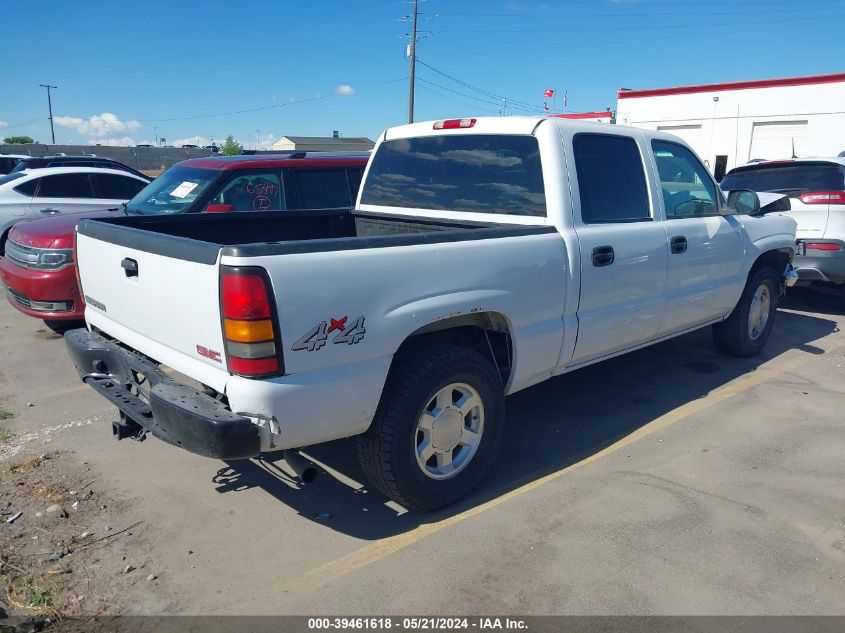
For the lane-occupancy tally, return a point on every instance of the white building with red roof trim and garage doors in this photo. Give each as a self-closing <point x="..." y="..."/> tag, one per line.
<point x="730" y="124"/>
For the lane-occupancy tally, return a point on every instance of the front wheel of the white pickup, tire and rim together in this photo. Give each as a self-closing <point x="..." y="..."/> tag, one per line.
<point x="745" y="332"/>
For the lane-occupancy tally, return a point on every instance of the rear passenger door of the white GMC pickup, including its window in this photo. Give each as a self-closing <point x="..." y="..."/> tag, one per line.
<point x="622" y="244"/>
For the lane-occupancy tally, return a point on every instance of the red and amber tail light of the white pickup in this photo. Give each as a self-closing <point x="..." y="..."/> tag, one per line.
<point x="250" y="328"/>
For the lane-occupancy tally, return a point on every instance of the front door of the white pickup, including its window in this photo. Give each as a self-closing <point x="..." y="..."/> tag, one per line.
<point x="705" y="248"/>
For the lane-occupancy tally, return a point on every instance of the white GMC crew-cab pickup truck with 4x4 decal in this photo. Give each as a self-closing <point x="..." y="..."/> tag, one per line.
<point x="483" y="256"/>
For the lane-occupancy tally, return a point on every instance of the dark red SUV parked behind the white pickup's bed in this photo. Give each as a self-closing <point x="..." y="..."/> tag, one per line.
<point x="37" y="263"/>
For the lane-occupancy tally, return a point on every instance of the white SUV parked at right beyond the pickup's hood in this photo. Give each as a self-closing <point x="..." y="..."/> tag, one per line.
<point x="816" y="187"/>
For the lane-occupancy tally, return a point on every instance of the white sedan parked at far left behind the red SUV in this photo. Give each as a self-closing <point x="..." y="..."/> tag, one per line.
<point x="42" y="192"/>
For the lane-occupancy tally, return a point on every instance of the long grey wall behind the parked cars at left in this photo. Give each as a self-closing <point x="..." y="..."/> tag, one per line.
<point x="140" y="158"/>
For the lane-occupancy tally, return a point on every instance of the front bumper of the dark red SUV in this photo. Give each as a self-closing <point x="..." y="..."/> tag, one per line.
<point x="43" y="294"/>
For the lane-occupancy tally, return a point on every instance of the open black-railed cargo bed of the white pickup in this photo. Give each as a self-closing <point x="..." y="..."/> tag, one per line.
<point x="201" y="237"/>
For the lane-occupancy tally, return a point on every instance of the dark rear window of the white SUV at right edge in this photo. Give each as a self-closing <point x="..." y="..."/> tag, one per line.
<point x="788" y="178"/>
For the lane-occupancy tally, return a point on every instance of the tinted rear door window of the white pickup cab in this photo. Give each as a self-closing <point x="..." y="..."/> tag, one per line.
<point x="611" y="179"/>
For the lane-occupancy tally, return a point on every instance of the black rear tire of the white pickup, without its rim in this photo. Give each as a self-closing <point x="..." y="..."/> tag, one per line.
<point x="387" y="451"/>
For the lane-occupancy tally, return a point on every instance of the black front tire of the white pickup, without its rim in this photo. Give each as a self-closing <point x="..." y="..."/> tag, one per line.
<point x="731" y="335"/>
